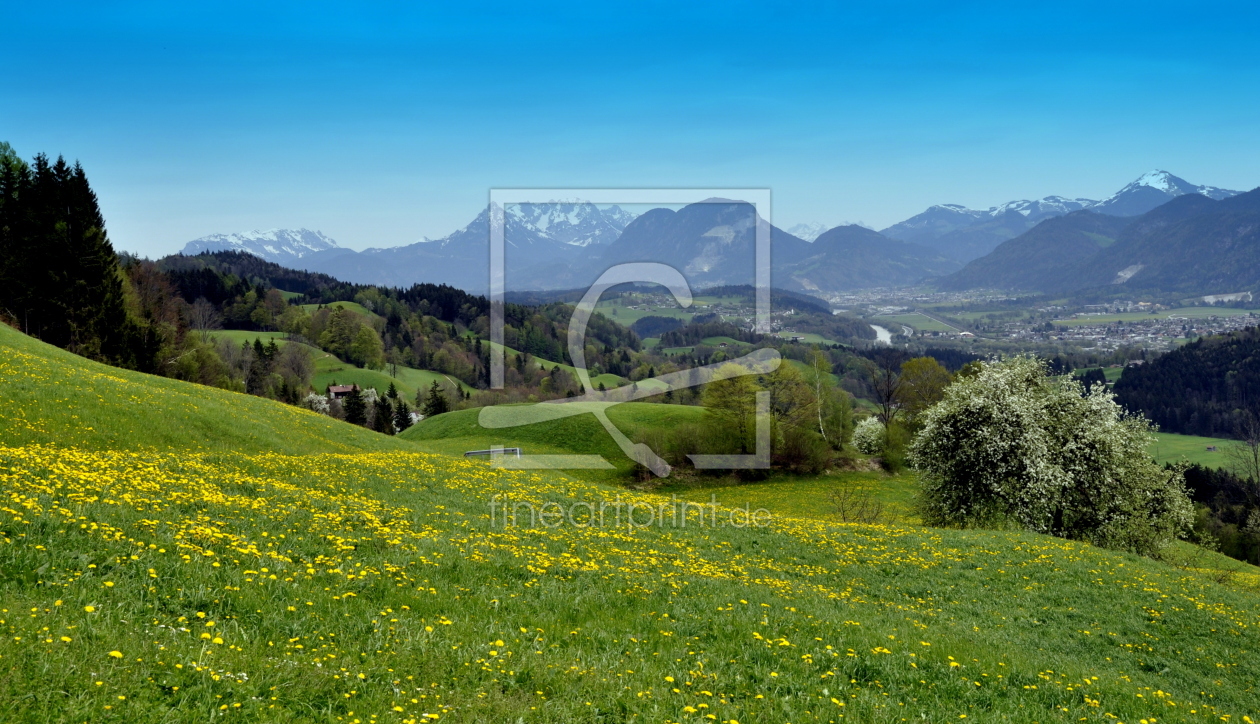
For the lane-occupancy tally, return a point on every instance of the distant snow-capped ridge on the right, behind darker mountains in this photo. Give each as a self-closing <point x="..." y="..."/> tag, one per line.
<point x="967" y="235"/>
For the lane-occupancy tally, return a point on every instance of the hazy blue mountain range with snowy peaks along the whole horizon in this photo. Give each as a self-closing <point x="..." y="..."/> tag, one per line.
<point x="568" y="245"/>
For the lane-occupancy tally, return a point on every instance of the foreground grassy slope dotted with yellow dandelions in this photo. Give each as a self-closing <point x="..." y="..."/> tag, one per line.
<point x="374" y="587"/>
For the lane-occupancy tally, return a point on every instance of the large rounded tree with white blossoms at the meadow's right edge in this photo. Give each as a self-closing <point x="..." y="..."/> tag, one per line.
<point x="1015" y="446"/>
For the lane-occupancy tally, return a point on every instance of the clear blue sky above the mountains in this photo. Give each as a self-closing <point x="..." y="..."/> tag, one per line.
<point x="384" y="124"/>
